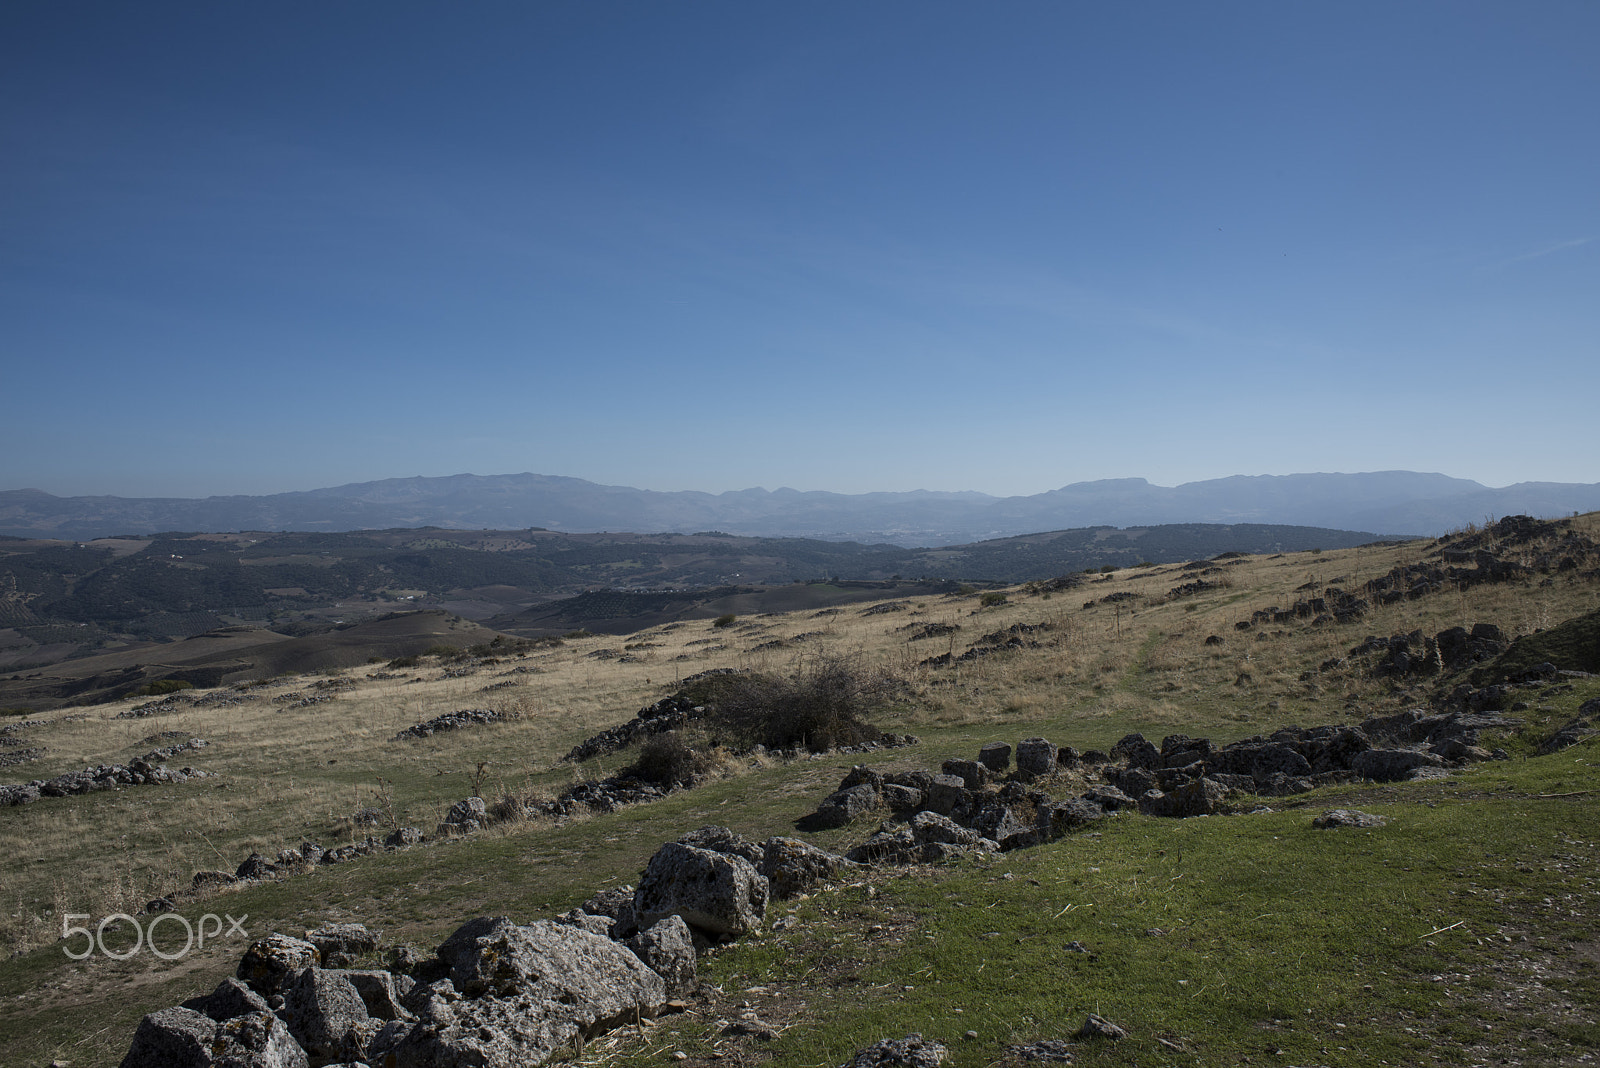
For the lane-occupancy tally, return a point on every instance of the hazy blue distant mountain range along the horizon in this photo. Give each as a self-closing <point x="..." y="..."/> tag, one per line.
<point x="1390" y="503"/>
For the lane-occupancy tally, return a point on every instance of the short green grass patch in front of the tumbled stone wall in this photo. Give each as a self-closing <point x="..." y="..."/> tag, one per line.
<point x="1236" y="939"/>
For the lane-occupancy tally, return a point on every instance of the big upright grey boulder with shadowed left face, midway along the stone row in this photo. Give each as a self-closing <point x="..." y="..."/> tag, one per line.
<point x="719" y="895"/>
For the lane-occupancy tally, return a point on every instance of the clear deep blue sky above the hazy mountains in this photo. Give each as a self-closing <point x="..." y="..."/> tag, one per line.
<point x="713" y="245"/>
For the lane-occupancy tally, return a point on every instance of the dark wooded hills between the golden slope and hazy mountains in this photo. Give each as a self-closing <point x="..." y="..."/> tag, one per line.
<point x="132" y="596"/>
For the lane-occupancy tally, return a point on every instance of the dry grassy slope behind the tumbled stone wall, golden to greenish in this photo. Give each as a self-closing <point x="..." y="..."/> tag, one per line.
<point x="1118" y="653"/>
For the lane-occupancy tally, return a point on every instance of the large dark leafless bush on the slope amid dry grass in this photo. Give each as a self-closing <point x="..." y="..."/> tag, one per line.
<point x="822" y="707"/>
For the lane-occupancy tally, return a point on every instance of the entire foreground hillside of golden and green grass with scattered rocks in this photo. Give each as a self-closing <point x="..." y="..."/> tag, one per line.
<point x="1460" y="931"/>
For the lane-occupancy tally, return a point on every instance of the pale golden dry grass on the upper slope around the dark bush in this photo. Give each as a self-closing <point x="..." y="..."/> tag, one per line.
<point x="1097" y="672"/>
